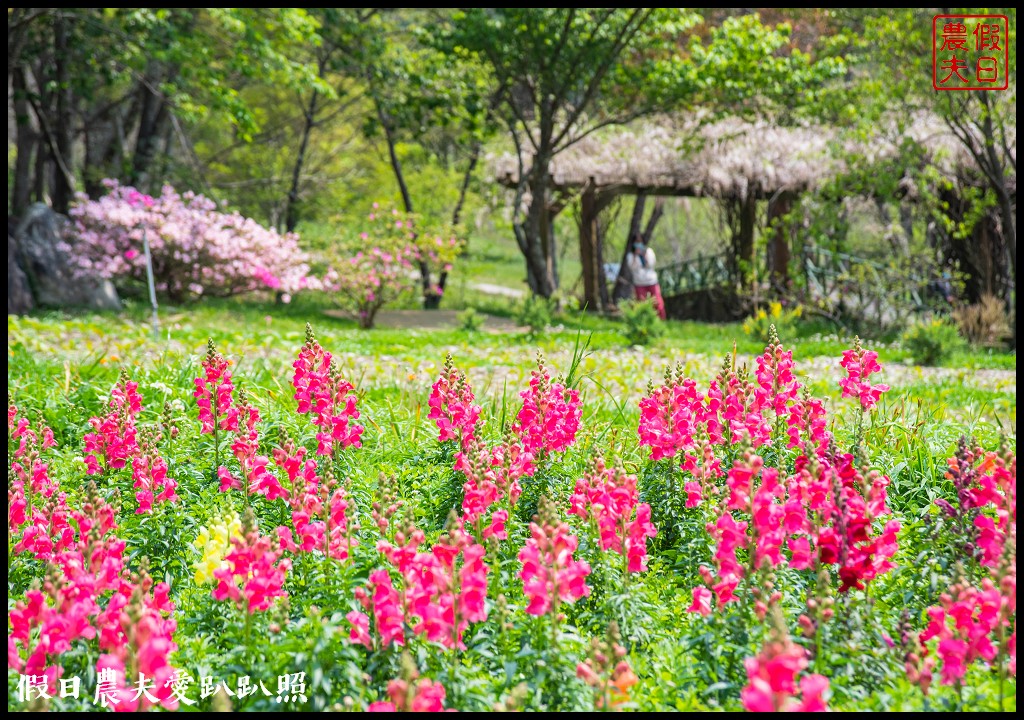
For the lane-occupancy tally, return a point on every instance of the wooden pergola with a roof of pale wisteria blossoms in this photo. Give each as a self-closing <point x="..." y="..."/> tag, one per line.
<point x="733" y="160"/>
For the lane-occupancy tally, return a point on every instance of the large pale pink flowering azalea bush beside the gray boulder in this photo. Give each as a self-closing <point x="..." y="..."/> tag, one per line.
<point x="197" y="250"/>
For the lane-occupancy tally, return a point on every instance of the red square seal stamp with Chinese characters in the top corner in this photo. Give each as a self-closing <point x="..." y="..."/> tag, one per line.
<point x="970" y="53"/>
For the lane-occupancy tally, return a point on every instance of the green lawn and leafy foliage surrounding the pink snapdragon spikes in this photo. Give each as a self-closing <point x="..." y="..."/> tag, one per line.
<point x="62" y="368"/>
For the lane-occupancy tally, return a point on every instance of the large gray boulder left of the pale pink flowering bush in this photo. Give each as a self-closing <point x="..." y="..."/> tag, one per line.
<point x="49" y="270"/>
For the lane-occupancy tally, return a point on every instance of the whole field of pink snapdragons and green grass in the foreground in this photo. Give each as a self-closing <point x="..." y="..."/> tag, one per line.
<point x="287" y="520"/>
